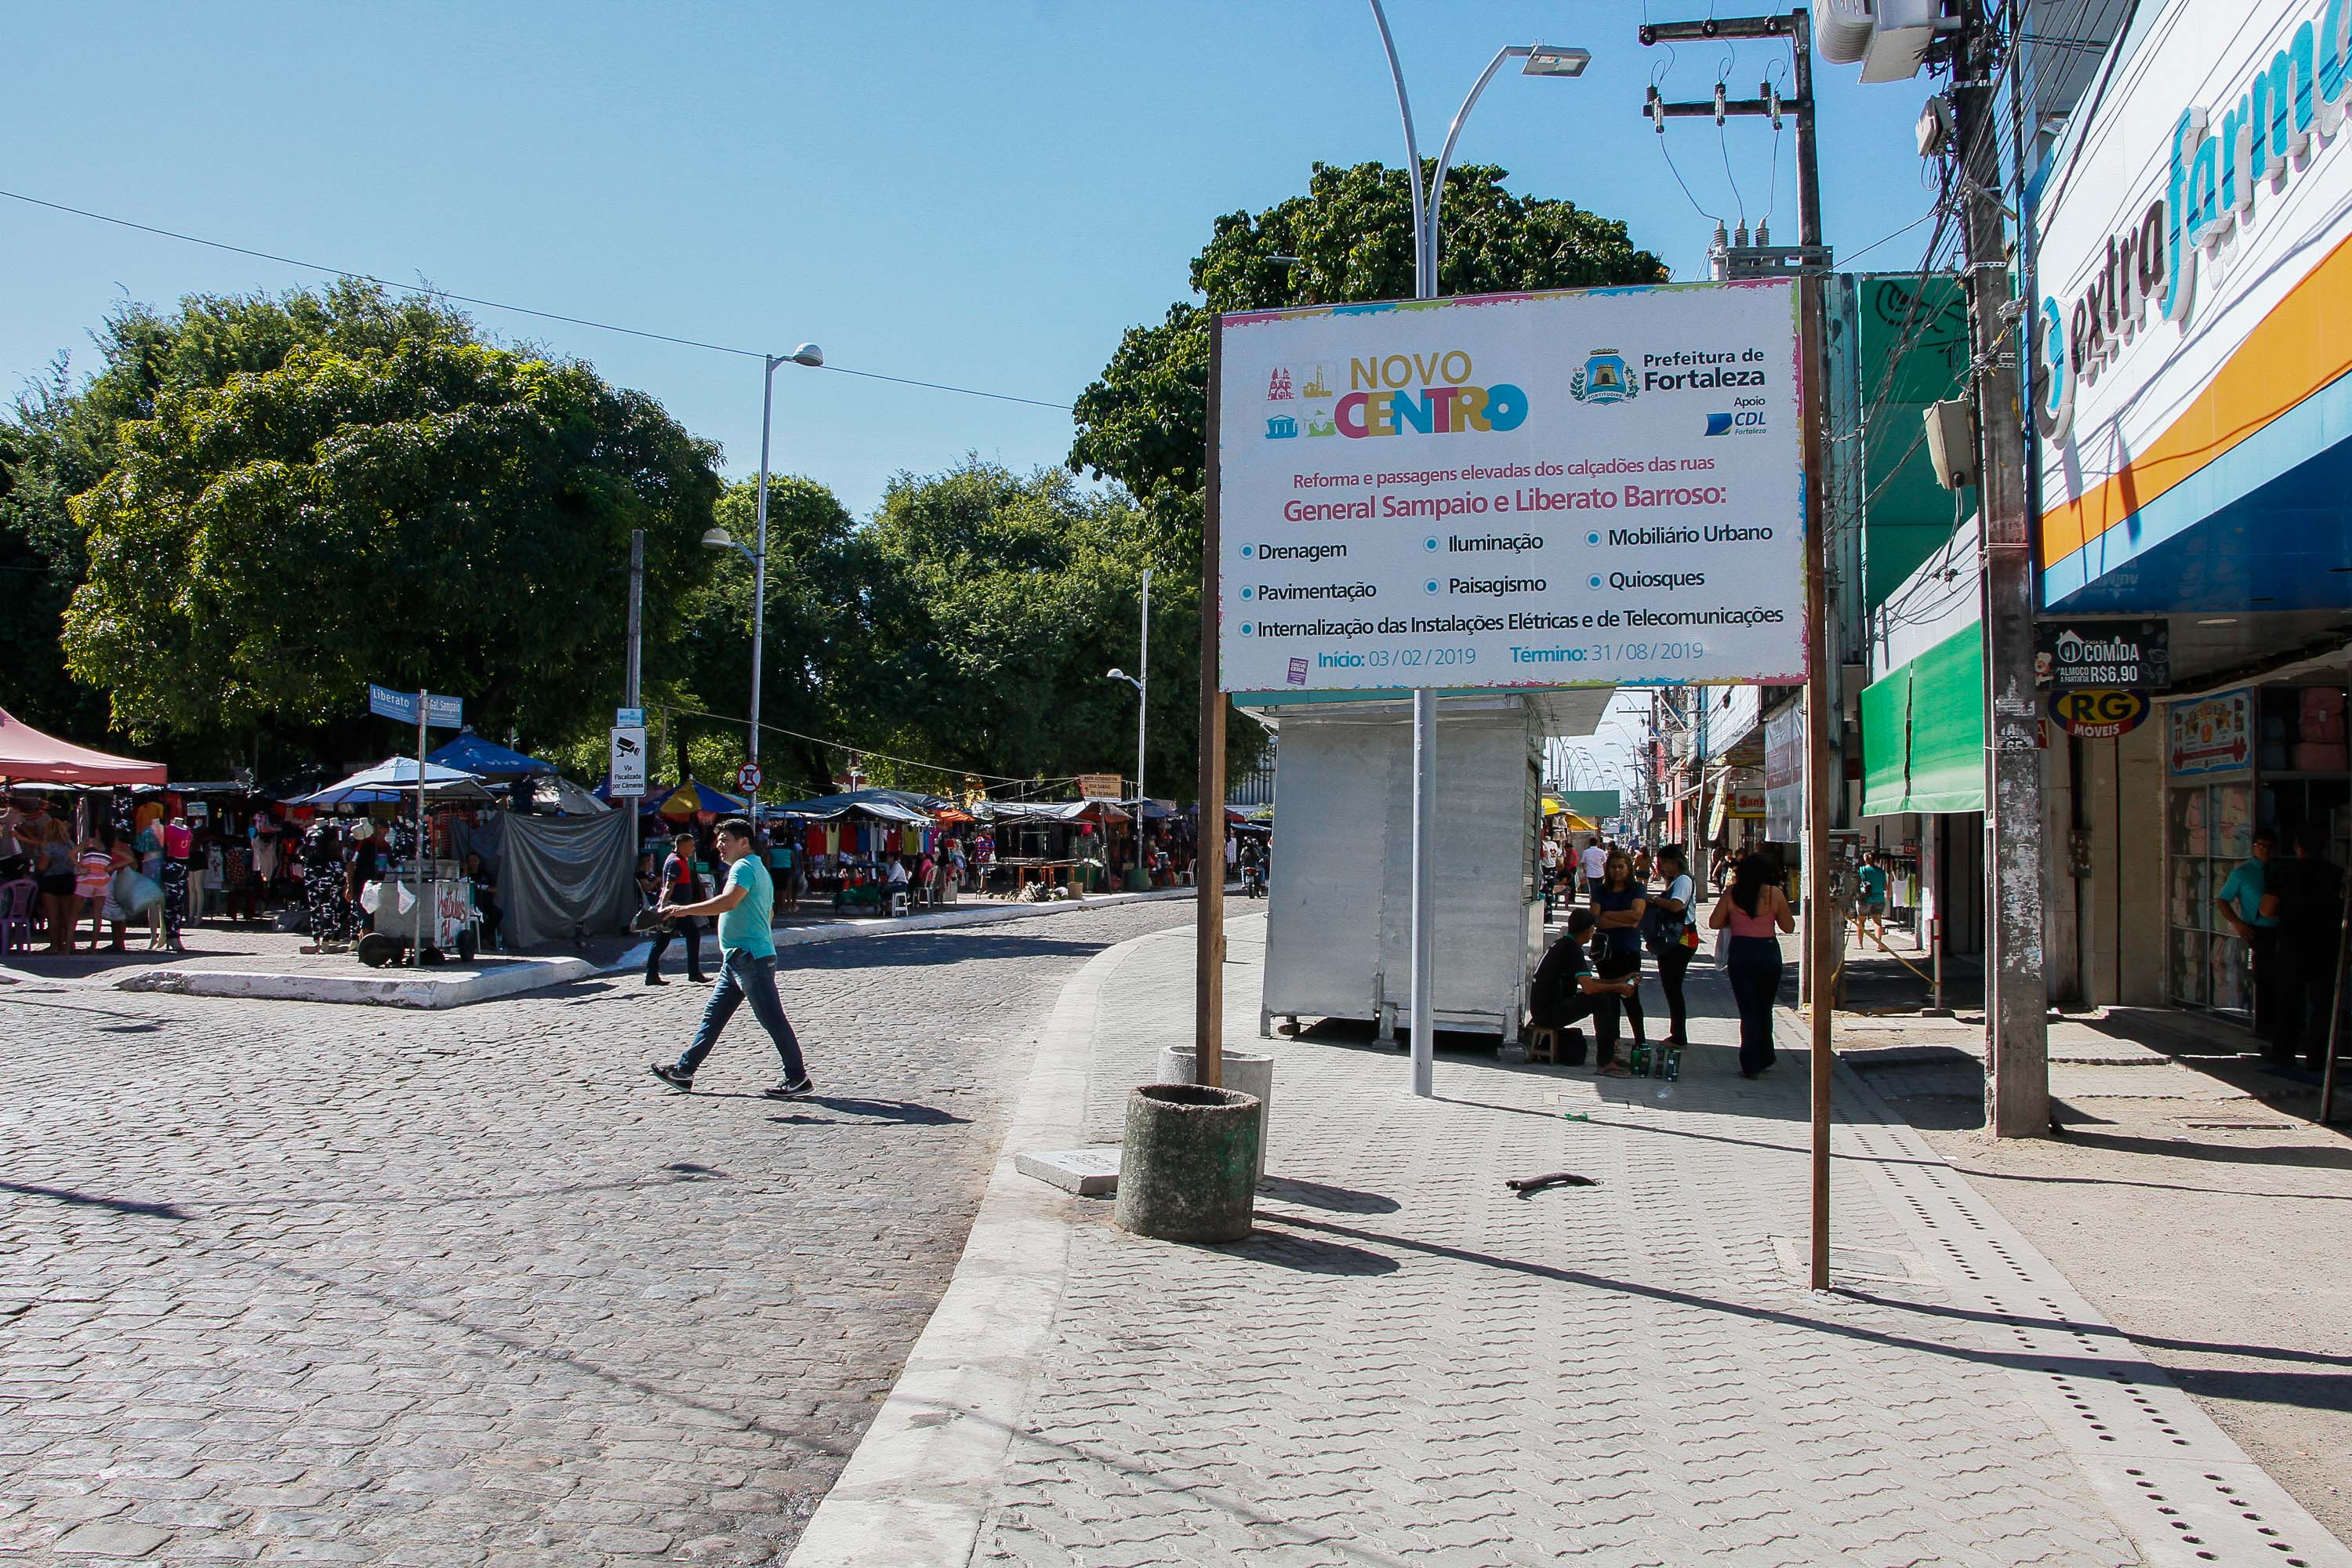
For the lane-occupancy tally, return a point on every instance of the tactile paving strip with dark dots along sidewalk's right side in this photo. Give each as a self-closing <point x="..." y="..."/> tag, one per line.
<point x="2184" y="1489"/>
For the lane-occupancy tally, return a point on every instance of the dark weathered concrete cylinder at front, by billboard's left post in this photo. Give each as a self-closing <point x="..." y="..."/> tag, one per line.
<point x="1189" y="1170"/>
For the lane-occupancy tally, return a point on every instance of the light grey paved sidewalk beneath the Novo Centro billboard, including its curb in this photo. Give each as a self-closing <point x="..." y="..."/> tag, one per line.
<point x="1408" y="1365"/>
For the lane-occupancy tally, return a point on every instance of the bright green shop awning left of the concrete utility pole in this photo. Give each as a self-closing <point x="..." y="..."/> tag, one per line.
<point x="1925" y="732"/>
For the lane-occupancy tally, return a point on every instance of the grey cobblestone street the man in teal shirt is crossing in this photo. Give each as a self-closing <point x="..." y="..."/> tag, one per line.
<point x="347" y="1285"/>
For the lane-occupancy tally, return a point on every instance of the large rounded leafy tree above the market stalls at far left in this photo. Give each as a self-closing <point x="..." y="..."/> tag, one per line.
<point x="389" y="504"/>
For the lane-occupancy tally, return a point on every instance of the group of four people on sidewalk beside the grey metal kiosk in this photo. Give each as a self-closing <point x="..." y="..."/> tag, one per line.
<point x="1633" y="909"/>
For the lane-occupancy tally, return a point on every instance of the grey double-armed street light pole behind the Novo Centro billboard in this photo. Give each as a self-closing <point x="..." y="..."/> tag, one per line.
<point x="1426" y="253"/>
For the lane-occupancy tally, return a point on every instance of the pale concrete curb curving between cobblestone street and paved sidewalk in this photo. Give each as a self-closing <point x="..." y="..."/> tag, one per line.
<point x="923" y="1477"/>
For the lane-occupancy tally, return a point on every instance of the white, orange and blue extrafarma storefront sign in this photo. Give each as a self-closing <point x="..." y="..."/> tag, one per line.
<point x="2193" y="264"/>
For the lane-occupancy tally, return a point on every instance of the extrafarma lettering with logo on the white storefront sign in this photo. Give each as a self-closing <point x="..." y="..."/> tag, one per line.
<point x="2207" y="196"/>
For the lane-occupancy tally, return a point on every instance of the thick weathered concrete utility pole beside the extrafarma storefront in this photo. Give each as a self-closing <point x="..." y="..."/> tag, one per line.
<point x="2017" y="1003"/>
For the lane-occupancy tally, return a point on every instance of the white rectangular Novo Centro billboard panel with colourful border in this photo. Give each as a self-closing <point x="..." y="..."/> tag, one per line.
<point x="1518" y="490"/>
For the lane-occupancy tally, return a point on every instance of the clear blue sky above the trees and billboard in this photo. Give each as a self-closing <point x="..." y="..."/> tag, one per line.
<point x="975" y="194"/>
